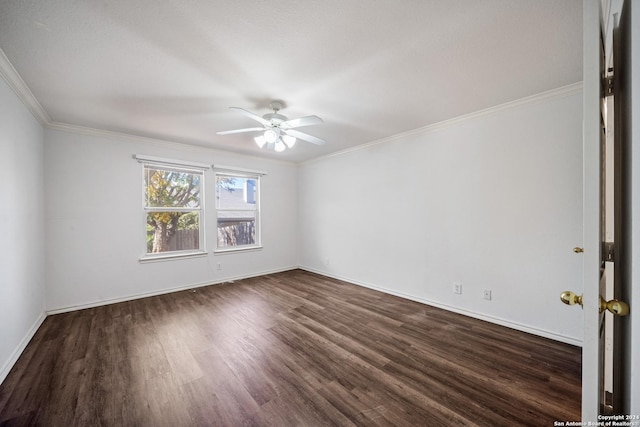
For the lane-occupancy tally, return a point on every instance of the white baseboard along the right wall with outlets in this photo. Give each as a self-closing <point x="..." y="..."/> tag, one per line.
<point x="503" y="322"/>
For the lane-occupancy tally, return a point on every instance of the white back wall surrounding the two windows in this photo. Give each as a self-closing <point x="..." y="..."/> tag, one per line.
<point x="94" y="221"/>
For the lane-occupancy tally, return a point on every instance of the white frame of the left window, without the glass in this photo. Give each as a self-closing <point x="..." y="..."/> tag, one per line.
<point x="182" y="166"/>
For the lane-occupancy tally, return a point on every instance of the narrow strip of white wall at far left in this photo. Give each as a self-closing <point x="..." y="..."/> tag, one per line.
<point x="22" y="221"/>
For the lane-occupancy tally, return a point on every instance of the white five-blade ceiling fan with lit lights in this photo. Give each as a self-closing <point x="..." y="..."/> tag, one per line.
<point x="278" y="132"/>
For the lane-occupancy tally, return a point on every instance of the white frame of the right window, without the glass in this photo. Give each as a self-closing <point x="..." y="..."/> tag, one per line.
<point x="230" y="171"/>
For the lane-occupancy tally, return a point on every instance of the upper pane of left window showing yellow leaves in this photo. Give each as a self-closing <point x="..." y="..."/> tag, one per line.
<point x="171" y="188"/>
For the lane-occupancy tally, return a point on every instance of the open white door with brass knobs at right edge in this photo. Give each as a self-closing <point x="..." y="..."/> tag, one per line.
<point x="602" y="363"/>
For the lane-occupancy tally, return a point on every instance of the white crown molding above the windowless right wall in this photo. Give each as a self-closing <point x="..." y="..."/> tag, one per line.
<point x="572" y="89"/>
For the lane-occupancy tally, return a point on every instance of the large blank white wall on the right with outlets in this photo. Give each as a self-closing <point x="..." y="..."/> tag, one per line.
<point x="492" y="200"/>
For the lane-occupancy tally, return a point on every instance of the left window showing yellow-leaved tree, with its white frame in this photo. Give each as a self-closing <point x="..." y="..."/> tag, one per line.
<point x="173" y="208"/>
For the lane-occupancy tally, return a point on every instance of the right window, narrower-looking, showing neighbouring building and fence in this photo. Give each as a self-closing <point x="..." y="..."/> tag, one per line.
<point x="237" y="209"/>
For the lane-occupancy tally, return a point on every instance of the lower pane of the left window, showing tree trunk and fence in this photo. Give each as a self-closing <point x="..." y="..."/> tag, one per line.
<point x="173" y="231"/>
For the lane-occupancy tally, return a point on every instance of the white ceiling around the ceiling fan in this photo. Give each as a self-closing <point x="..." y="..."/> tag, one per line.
<point x="370" y="68"/>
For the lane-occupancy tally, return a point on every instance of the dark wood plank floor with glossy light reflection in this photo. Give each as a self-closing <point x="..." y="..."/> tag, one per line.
<point x="288" y="349"/>
